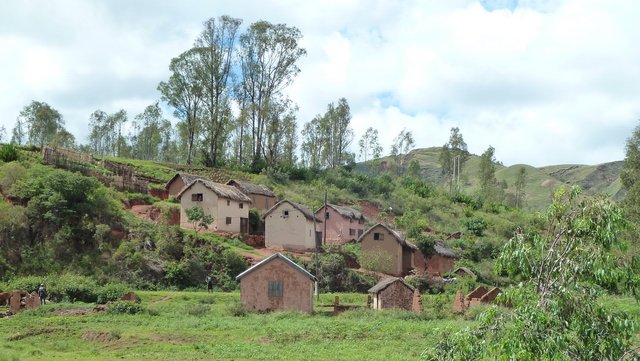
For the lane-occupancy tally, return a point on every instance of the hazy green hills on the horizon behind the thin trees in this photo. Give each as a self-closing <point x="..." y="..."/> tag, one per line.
<point x="540" y="181"/>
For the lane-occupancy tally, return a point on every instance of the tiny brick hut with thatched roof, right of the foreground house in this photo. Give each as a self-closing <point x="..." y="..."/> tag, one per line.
<point x="392" y="293"/>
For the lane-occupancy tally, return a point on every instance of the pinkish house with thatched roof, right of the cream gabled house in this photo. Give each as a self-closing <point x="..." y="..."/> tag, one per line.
<point x="342" y="224"/>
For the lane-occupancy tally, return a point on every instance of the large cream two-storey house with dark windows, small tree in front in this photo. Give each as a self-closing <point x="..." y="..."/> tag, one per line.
<point x="228" y="206"/>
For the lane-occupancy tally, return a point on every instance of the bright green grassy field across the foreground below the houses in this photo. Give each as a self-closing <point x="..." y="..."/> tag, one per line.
<point x="201" y="326"/>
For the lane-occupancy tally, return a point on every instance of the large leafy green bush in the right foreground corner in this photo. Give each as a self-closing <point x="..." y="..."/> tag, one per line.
<point x="556" y="311"/>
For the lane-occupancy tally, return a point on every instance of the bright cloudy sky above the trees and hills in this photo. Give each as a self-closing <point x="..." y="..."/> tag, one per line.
<point x="542" y="81"/>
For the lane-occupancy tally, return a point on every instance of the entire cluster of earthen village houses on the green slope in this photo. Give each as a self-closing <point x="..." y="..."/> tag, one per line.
<point x="277" y="283"/>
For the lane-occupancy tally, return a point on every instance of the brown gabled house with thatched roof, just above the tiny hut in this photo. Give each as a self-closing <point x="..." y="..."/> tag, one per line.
<point x="389" y="248"/>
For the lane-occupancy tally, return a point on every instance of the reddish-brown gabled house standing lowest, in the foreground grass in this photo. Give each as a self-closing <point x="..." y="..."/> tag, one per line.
<point x="277" y="284"/>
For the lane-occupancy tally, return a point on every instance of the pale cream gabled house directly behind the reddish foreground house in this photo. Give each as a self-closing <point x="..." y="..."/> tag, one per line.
<point x="292" y="226"/>
